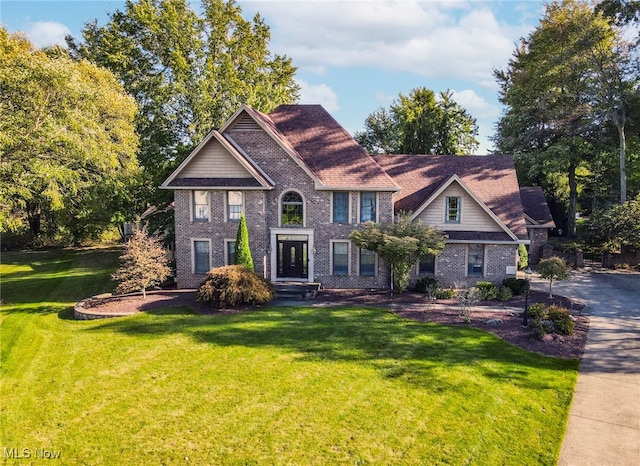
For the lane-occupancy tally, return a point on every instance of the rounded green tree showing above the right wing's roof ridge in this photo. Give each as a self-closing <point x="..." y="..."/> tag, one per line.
<point x="420" y="123"/>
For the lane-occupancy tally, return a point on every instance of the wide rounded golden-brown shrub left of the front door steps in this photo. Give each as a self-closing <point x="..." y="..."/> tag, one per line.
<point x="234" y="285"/>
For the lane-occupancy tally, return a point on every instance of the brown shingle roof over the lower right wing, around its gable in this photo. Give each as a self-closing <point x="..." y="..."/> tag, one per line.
<point x="490" y="179"/>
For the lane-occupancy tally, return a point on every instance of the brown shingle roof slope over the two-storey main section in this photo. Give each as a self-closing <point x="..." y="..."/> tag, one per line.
<point x="327" y="149"/>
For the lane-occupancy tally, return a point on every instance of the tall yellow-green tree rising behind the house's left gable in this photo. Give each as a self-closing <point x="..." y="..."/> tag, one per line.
<point x="188" y="72"/>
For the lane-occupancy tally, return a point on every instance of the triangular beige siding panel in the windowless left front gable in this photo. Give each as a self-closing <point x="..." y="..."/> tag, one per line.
<point x="214" y="161"/>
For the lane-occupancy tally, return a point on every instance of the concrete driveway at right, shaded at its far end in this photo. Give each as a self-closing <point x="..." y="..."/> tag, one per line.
<point x="604" y="420"/>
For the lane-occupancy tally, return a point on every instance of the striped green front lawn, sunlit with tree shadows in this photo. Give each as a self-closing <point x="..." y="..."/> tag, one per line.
<point x="274" y="386"/>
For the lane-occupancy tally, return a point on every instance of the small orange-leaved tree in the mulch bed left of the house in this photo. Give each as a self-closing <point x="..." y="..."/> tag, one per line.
<point x="144" y="264"/>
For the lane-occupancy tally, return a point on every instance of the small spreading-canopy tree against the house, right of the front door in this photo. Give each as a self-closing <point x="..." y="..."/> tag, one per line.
<point x="399" y="245"/>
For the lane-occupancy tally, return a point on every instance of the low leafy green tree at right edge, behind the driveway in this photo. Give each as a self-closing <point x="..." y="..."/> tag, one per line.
<point x="617" y="227"/>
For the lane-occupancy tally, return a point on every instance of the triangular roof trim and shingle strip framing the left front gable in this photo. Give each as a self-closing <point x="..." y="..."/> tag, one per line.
<point x="255" y="179"/>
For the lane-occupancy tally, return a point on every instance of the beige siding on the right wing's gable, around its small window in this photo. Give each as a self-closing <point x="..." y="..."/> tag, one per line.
<point x="473" y="216"/>
